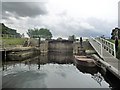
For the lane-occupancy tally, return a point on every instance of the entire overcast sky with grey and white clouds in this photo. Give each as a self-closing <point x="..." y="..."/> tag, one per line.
<point x="62" y="17"/>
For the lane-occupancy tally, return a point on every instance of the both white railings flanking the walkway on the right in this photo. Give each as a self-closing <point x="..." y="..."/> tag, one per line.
<point x="99" y="44"/>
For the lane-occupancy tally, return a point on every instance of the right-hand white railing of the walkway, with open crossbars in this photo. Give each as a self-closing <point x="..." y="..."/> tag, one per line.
<point x="108" y="46"/>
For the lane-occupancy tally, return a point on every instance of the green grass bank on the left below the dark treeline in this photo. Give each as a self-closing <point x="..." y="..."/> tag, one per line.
<point x="12" y="41"/>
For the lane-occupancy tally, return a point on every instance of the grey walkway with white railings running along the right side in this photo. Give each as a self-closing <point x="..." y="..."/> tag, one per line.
<point x="106" y="51"/>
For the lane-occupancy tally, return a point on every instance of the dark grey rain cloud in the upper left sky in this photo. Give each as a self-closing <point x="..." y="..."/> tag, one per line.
<point x="23" y="9"/>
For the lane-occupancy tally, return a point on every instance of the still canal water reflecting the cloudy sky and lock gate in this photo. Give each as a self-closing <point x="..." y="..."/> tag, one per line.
<point x="51" y="71"/>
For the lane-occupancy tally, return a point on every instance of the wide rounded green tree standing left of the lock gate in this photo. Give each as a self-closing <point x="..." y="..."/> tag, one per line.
<point x="36" y="33"/>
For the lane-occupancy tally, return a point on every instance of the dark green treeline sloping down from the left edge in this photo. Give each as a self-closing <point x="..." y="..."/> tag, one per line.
<point x="8" y="32"/>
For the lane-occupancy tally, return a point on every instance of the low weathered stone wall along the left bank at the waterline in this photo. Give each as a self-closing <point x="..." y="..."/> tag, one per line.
<point x="20" y="53"/>
